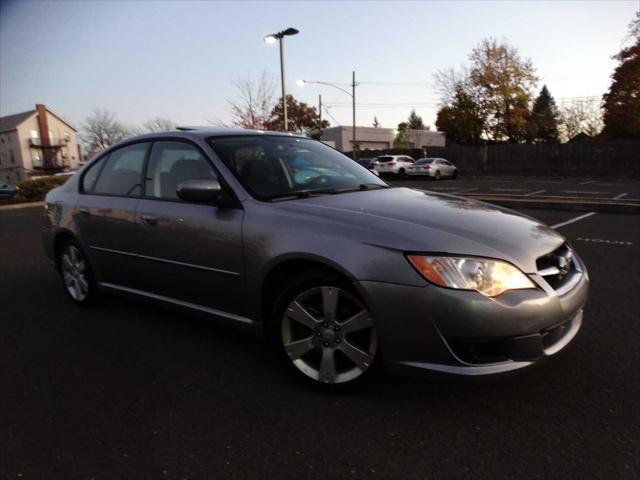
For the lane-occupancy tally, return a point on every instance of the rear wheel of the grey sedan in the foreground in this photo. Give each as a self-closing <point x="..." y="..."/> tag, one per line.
<point x="76" y="273"/>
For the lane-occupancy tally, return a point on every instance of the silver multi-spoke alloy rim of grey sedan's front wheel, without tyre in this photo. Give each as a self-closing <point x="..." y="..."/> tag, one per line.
<point x="329" y="335"/>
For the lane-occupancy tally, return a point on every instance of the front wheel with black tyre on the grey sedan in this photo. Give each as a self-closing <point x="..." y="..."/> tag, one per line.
<point x="324" y="332"/>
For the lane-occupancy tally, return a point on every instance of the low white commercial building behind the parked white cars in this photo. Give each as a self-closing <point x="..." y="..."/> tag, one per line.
<point x="371" y="138"/>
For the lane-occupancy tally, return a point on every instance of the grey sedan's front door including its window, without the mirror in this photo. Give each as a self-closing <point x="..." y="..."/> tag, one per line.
<point x="188" y="252"/>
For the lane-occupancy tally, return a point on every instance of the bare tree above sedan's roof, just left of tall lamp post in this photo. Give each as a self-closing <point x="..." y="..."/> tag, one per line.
<point x="253" y="106"/>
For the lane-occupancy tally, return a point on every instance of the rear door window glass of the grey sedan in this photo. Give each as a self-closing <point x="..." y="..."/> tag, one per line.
<point x="122" y="172"/>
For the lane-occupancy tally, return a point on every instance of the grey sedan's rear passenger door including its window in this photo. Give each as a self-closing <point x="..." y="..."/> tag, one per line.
<point x="106" y="209"/>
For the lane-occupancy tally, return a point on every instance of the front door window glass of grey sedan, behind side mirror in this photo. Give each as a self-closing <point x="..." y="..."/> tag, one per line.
<point x="170" y="164"/>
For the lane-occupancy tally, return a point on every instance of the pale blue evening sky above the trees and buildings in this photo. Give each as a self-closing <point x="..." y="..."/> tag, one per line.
<point x="179" y="59"/>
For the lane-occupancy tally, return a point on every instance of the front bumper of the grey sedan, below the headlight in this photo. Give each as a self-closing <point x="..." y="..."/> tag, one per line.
<point x="430" y="328"/>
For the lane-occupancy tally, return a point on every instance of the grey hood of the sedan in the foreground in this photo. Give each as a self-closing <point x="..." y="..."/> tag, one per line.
<point x="421" y="221"/>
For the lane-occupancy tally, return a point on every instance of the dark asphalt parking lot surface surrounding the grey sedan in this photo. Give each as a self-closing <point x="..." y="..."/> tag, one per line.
<point x="127" y="390"/>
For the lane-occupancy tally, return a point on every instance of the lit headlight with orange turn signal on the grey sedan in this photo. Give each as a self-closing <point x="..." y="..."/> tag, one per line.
<point x="489" y="277"/>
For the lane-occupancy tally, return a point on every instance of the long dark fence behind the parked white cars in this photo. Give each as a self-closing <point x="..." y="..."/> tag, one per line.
<point x="615" y="156"/>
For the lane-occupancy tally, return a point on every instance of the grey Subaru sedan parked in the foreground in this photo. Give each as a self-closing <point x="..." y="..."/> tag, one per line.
<point x="284" y="236"/>
